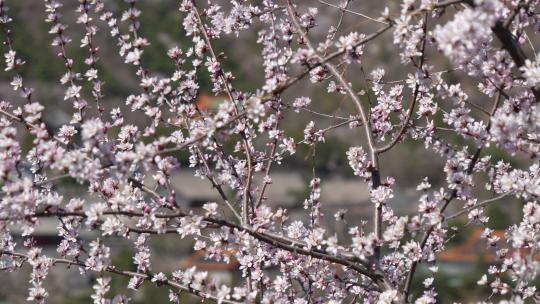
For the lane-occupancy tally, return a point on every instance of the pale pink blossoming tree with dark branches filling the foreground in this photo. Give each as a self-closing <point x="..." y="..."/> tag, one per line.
<point x="477" y="113"/>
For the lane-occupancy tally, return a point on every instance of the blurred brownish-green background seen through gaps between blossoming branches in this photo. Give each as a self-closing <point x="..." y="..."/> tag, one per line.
<point x="460" y="266"/>
